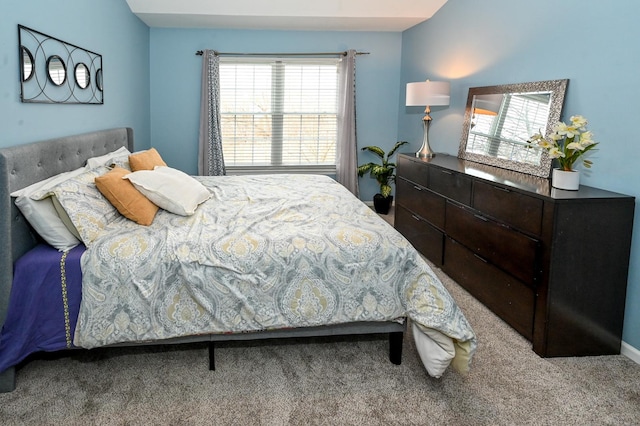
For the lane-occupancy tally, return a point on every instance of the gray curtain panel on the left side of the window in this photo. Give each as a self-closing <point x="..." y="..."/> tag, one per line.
<point x="210" y="158"/>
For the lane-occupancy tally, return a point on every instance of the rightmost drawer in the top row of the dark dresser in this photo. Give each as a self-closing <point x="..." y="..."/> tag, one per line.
<point x="521" y="211"/>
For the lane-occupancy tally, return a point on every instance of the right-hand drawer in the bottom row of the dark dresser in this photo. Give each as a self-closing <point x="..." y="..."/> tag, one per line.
<point x="508" y="298"/>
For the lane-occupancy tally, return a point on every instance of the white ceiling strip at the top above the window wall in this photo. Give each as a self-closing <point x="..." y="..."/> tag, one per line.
<point x="324" y="15"/>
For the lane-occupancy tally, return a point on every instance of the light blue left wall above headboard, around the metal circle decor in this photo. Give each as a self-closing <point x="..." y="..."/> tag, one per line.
<point x="106" y="27"/>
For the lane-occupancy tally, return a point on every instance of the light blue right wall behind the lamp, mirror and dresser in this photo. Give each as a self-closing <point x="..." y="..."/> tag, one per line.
<point x="594" y="45"/>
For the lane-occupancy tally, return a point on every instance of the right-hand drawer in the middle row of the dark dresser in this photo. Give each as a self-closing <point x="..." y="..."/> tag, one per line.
<point x="510" y="250"/>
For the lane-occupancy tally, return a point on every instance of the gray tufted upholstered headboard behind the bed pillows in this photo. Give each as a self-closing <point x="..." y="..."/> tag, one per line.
<point x="22" y="165"/>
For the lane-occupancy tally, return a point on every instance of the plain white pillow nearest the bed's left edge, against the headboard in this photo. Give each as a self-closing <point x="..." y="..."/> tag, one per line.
<point x="43" y="216"/>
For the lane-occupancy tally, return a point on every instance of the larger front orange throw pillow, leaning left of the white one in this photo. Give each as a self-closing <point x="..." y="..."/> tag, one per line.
<point x="125" y="197"/>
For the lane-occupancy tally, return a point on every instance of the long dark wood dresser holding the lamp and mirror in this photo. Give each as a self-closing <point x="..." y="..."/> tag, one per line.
<point x="553" y="264"/>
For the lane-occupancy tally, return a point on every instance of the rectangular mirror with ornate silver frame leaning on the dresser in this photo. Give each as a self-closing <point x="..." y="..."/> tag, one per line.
<point x="499" y="120"/>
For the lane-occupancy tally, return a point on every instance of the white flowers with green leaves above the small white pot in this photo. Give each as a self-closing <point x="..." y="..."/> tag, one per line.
<point x="567" y="143"/>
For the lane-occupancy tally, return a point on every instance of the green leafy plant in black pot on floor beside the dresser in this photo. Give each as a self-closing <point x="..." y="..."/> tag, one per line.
<point x="384" y="173"/>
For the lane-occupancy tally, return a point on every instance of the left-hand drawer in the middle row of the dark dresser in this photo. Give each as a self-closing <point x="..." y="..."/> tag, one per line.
<point x="421" y="201"/>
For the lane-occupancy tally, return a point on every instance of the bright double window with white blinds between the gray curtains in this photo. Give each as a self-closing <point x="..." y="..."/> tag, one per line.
<point x="279" y="114"/>
